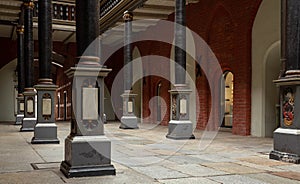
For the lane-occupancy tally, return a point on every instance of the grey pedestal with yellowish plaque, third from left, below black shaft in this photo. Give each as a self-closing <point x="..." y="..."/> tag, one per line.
<point x="45" y="130"/>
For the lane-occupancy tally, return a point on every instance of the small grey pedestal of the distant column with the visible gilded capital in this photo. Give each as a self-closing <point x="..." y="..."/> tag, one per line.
<point x="129" y="120"/>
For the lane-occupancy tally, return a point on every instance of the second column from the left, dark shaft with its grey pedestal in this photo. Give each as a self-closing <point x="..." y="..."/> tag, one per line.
<point x="29" y="120"/>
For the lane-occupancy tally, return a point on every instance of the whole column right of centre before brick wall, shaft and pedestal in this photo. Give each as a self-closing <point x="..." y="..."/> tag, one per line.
<point x="180" y="126"/>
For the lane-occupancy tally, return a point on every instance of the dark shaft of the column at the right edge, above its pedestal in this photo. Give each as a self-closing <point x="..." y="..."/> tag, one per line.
<point x="292" y="42"/>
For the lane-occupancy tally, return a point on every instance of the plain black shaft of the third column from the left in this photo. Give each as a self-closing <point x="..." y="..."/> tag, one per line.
<point x="45" y="38"/>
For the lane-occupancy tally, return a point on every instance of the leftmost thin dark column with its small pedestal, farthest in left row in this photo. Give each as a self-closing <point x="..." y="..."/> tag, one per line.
<point x="21" y="72"/>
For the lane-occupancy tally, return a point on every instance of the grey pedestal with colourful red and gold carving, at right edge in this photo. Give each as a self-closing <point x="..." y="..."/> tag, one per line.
<point x="287" y="136"/>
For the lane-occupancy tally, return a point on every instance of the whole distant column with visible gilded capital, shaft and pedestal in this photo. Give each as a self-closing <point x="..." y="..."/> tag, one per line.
<point x="128" y="120"/>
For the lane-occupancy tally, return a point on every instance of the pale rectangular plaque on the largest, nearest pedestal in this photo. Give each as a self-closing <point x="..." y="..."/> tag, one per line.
<point x="89" y="103"/>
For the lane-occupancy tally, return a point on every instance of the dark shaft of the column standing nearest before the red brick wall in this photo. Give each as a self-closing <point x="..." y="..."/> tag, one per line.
<point x="180" y="41"/>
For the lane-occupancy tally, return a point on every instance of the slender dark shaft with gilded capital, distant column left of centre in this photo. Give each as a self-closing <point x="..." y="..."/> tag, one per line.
<point x="128" y="50"/>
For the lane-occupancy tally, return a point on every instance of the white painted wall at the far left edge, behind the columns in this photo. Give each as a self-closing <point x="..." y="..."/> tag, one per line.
<point x="7" y="92"/>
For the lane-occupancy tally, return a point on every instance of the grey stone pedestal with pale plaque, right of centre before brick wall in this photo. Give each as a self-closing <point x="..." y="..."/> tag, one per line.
<point x="180" y="126"/>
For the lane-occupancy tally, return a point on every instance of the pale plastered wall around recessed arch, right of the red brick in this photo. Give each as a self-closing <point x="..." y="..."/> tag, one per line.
<point x="265" y="33"/>
